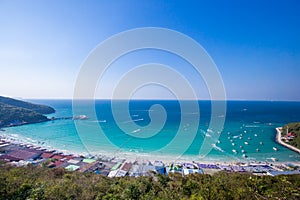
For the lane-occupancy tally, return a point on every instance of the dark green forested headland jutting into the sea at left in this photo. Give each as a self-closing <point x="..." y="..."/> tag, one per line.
<point x="15" y="112"/>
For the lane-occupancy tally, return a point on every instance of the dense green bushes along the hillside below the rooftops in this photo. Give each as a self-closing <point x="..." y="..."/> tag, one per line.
<point x="40" y="183"/>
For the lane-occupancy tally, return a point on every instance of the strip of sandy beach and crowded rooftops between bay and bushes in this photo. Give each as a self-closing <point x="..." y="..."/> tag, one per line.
<point x="17" y="153"/>
